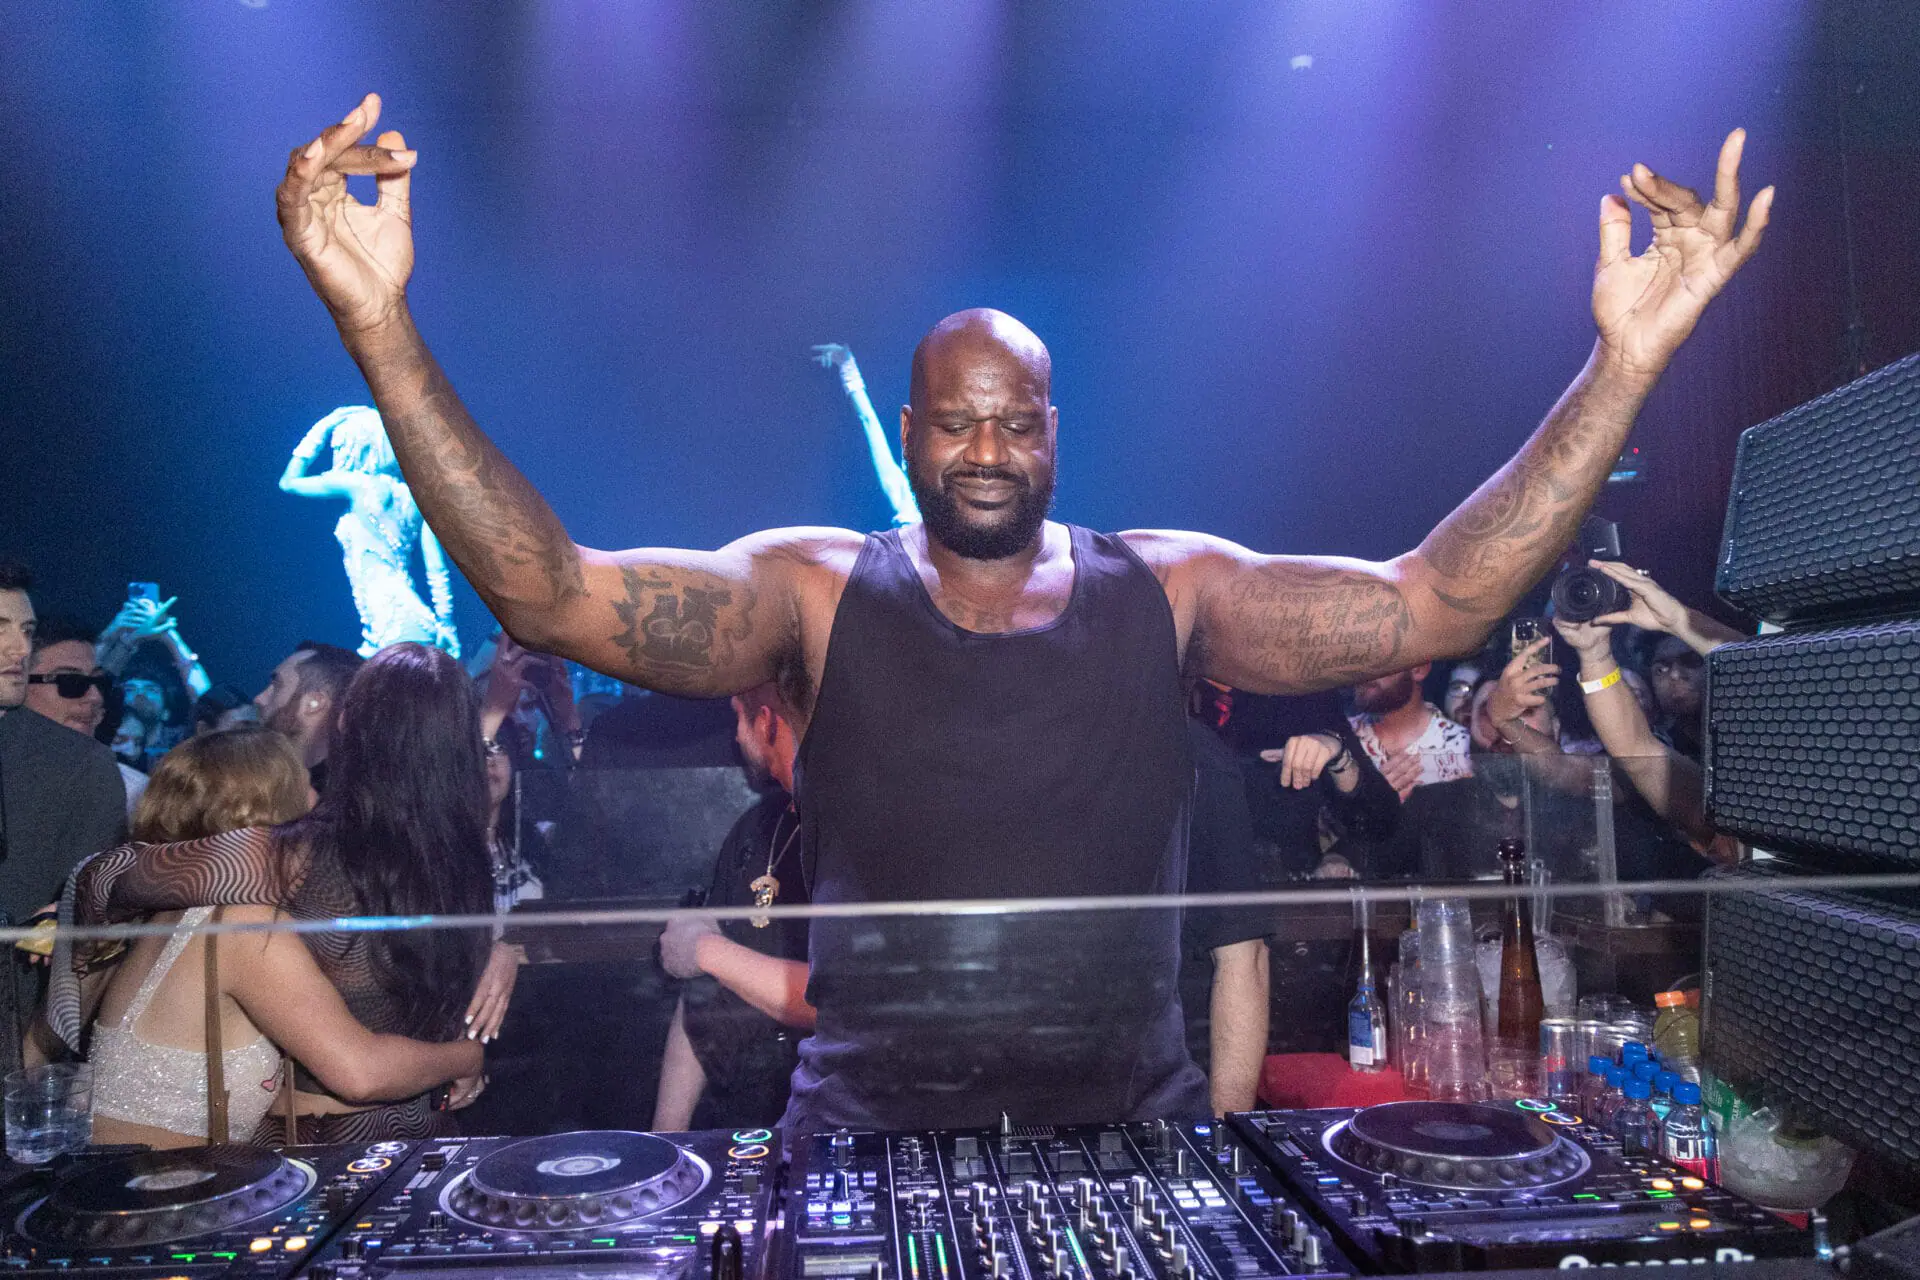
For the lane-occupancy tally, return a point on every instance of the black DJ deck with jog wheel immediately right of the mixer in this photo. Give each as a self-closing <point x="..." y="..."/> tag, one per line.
<point x="1445" y="1187"/>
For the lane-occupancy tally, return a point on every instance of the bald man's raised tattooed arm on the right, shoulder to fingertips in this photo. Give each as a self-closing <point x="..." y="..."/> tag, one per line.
<point x="1284" y="625"/>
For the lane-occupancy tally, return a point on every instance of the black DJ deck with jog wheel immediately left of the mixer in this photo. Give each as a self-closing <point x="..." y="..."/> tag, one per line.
<point x="587" y="1204"/>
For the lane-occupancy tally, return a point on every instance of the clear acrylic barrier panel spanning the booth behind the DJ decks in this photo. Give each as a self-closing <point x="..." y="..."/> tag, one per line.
<point x="951" y="1014"/>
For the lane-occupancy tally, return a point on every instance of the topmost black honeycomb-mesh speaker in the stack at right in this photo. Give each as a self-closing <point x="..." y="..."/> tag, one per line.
<point x="1825" y="513"/>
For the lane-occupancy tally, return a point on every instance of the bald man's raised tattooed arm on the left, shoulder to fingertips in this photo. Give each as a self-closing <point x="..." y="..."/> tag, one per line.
<point x="675" y="621"/>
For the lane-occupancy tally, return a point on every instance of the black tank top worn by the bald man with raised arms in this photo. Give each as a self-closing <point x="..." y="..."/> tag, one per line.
<point x="949" y="765"/>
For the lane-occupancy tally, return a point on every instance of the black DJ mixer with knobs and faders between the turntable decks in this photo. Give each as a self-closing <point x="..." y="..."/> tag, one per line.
<point x="1124" y="1202"/>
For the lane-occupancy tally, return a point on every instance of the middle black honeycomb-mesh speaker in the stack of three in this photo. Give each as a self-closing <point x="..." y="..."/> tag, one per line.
<point x="1813" y="742"/>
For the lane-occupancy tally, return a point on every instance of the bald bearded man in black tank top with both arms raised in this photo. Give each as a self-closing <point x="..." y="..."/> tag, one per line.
<point x="992" y="701"/>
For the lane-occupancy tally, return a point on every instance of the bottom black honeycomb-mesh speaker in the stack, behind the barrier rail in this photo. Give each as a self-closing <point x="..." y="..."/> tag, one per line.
<point x="1817" y="1001"/>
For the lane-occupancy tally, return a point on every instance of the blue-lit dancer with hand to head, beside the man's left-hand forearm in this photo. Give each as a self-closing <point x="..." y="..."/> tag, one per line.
<point x="379" y="533"/>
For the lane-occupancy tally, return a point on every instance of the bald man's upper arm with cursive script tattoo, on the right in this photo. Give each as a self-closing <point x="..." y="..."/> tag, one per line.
<point x="1295" y="625"/>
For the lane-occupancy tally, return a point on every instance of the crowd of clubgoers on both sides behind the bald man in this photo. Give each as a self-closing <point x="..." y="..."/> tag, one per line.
<point x="385" y="786"/>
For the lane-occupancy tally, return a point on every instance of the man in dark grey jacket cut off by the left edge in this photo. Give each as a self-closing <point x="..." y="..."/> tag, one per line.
<point x="60" y="795"/>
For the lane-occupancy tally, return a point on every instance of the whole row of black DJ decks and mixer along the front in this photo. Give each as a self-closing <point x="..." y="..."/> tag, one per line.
<point x="1264" y="1197"/>
